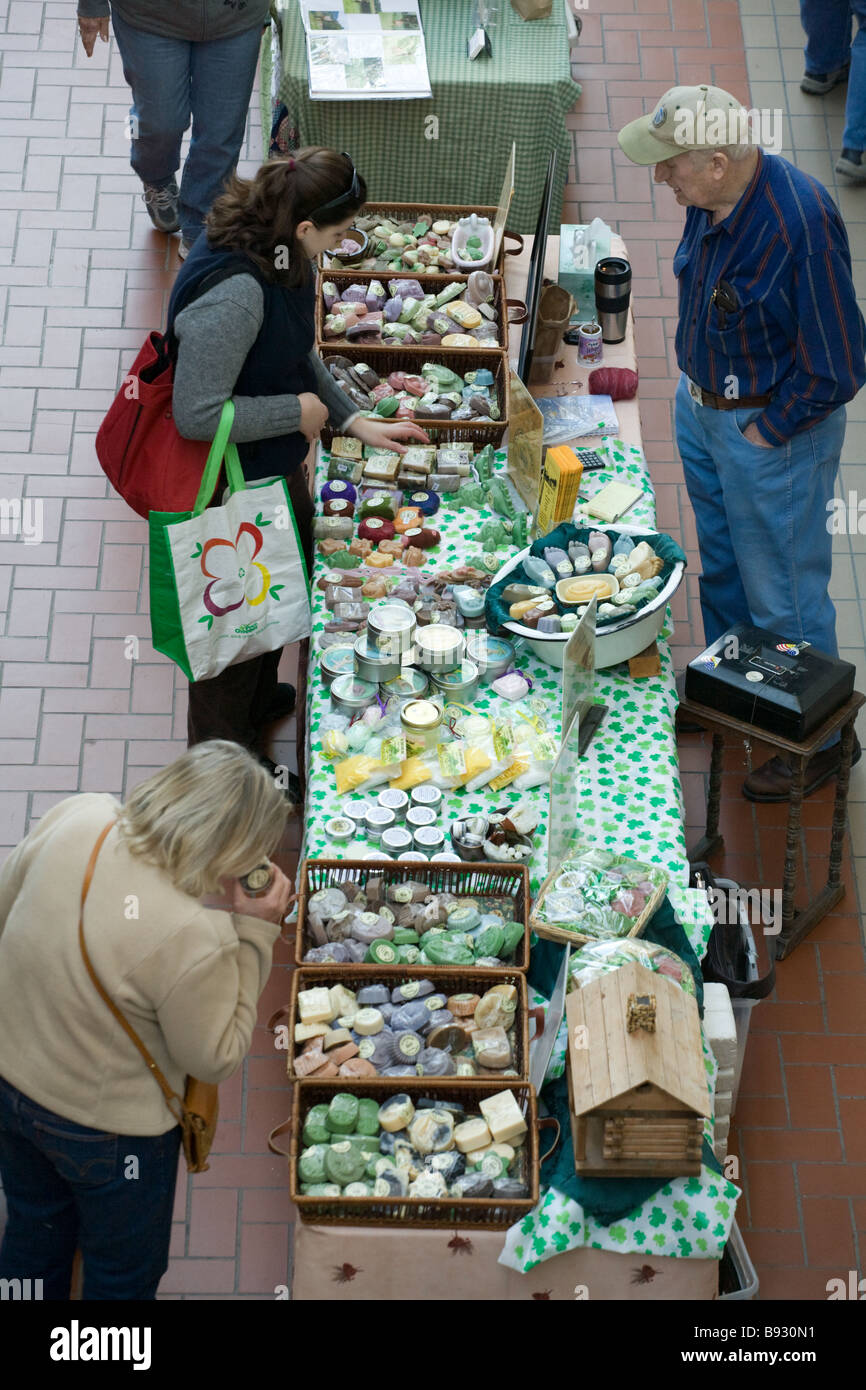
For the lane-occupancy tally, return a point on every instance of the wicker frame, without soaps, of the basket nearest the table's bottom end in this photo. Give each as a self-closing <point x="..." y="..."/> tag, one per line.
<point x="447" y="1213"/>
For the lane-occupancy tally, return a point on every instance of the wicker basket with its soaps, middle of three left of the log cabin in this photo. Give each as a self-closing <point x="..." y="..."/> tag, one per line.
<point x="468" y="1027"/>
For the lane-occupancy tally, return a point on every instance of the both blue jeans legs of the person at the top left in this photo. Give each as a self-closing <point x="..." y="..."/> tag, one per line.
<point x="174" y="81"/>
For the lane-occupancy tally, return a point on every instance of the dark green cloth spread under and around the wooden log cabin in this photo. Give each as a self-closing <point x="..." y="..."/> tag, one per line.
<point x="605" y="1199"/>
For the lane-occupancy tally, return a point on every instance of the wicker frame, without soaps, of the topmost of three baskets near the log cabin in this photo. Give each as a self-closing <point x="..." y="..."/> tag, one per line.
<point x="465" y="881"/>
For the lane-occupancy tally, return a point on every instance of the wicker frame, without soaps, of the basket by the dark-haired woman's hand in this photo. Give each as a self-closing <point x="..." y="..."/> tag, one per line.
<point x="461" y="361"/>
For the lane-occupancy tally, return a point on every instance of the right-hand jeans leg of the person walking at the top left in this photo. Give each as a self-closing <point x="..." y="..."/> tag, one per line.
<point x="222" y="80"/>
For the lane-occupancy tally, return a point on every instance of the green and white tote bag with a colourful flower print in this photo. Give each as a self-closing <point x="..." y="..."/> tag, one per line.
<point x="227" y="583"/>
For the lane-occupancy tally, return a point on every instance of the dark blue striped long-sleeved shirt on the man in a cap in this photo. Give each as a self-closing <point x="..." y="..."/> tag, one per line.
<point x="797" y="333"/>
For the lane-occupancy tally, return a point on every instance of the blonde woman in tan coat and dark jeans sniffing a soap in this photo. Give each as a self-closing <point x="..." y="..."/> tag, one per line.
<point x="88" y="1146"/>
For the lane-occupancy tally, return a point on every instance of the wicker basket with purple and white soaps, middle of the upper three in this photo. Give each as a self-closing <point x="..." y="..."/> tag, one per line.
<point x="505" y="311"/>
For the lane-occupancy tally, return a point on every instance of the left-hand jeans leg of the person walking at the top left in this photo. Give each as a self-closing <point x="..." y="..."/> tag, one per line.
<point x="158" y="72"/>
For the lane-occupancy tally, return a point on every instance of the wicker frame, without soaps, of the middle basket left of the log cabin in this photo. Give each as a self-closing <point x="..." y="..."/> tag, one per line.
<point x="464" y="981"/>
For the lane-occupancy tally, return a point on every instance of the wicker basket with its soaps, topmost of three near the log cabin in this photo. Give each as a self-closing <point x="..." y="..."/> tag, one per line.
<point x="448" y="900"/>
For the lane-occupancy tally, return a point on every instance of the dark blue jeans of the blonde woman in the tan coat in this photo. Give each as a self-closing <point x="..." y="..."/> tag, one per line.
<point x="69" y="1186"/>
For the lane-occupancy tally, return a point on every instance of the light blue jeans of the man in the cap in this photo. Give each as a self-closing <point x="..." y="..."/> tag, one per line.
<point x="762" y="518"/>
